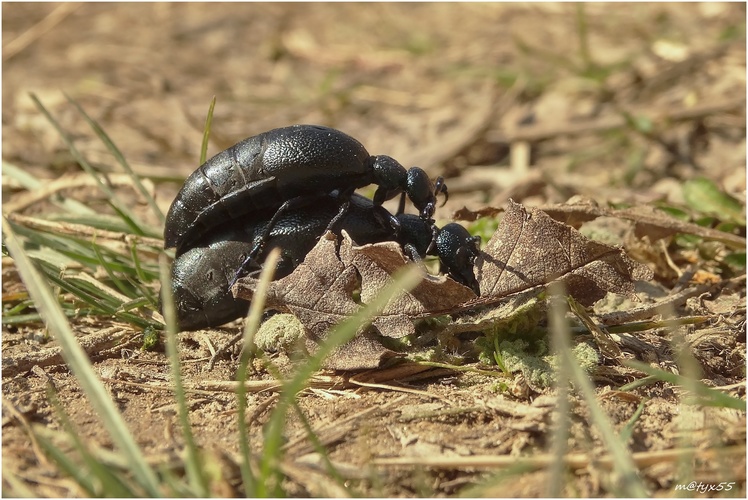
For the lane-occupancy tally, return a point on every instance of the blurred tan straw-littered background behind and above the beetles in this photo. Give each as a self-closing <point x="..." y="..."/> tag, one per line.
<point x="538" y="102"/>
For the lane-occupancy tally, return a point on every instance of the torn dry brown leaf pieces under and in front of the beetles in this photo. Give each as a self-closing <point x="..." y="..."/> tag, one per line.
<point x="527" y="251"/>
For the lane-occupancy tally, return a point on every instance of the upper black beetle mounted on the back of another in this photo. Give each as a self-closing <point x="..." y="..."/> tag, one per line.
<point x="288" y="168"/>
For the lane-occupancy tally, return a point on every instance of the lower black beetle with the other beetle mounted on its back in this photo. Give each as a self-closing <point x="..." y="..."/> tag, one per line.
<point x="201" y="276"/>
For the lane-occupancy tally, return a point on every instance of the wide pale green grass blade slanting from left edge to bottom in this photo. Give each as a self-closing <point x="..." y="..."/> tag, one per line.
<point x="78" y="362"/>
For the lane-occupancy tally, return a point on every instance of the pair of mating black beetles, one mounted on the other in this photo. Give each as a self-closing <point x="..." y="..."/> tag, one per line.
<point x="284" y="188"/>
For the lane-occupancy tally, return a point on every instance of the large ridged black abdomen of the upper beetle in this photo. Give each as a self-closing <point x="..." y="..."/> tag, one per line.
<point x="259" y="171"/>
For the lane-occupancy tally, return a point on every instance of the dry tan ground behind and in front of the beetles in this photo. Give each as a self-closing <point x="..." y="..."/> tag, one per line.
<point x="453" y="88"/>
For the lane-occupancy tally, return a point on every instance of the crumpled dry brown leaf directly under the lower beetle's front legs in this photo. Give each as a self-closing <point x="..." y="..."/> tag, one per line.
<point x="320" y="294"/>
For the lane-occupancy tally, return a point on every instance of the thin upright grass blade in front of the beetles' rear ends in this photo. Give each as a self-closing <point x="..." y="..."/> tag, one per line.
<point x="193" y="463"/>
